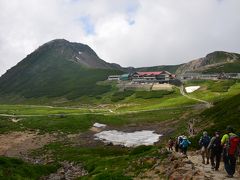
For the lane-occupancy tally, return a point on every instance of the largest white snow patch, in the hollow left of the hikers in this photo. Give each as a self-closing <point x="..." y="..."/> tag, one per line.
<point x="131" y="139"/>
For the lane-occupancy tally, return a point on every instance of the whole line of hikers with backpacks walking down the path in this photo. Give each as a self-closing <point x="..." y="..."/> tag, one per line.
<point x="212" y="149"/>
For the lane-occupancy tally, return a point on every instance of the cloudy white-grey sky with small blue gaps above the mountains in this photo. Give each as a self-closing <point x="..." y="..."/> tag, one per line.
<point x="129" y="32"/>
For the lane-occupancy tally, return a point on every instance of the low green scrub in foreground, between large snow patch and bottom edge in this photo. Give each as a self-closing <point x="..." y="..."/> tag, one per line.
<point x="105" y="162"/>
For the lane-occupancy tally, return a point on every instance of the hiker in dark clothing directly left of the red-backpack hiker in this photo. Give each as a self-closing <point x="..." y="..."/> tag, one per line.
<point x="215" y="149"/>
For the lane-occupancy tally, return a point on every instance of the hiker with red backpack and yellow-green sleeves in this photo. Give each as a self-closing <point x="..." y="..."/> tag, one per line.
<point x="230" y="142"/>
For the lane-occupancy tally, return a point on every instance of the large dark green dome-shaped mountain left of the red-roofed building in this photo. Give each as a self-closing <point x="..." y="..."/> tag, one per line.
<point x="53" y="70"/>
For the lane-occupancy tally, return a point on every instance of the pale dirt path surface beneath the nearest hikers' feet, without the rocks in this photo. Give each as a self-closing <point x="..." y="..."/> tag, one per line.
<point x="207" y="171"/>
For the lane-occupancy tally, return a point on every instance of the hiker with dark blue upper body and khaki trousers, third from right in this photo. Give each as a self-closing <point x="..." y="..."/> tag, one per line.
<point x="204" y="142"/>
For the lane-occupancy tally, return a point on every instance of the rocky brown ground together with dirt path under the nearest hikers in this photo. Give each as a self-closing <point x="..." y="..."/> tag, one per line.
<point x="180" y="167"/>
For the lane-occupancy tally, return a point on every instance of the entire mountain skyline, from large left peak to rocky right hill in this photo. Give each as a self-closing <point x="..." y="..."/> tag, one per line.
<point x="60" y="68"/>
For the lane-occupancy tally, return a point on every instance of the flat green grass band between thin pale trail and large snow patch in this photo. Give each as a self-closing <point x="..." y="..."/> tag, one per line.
<point x="82" y="122"/>
